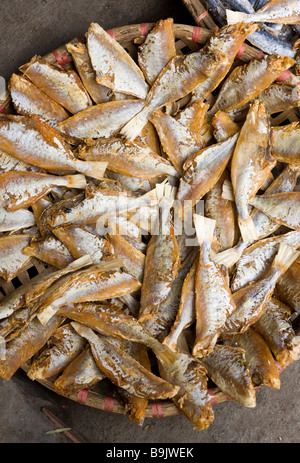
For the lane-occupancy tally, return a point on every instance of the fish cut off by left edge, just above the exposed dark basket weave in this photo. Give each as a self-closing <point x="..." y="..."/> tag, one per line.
<point x="12" y="259"/>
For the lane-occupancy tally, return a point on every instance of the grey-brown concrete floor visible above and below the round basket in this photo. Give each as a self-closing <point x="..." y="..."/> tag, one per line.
<point x="31" y="27"/>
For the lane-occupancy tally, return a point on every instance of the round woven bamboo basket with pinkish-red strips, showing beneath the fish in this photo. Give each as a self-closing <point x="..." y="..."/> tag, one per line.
<point x="187" y="39"/>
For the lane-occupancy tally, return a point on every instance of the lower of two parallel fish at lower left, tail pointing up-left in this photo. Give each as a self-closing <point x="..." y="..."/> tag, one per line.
<point x="123" y="370"/>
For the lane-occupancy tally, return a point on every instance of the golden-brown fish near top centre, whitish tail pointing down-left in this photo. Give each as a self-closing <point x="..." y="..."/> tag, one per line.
<point x="181" y="75"/>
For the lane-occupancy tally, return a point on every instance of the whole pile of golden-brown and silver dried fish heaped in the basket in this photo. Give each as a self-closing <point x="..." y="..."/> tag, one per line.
<point x="168" y="223"/>
